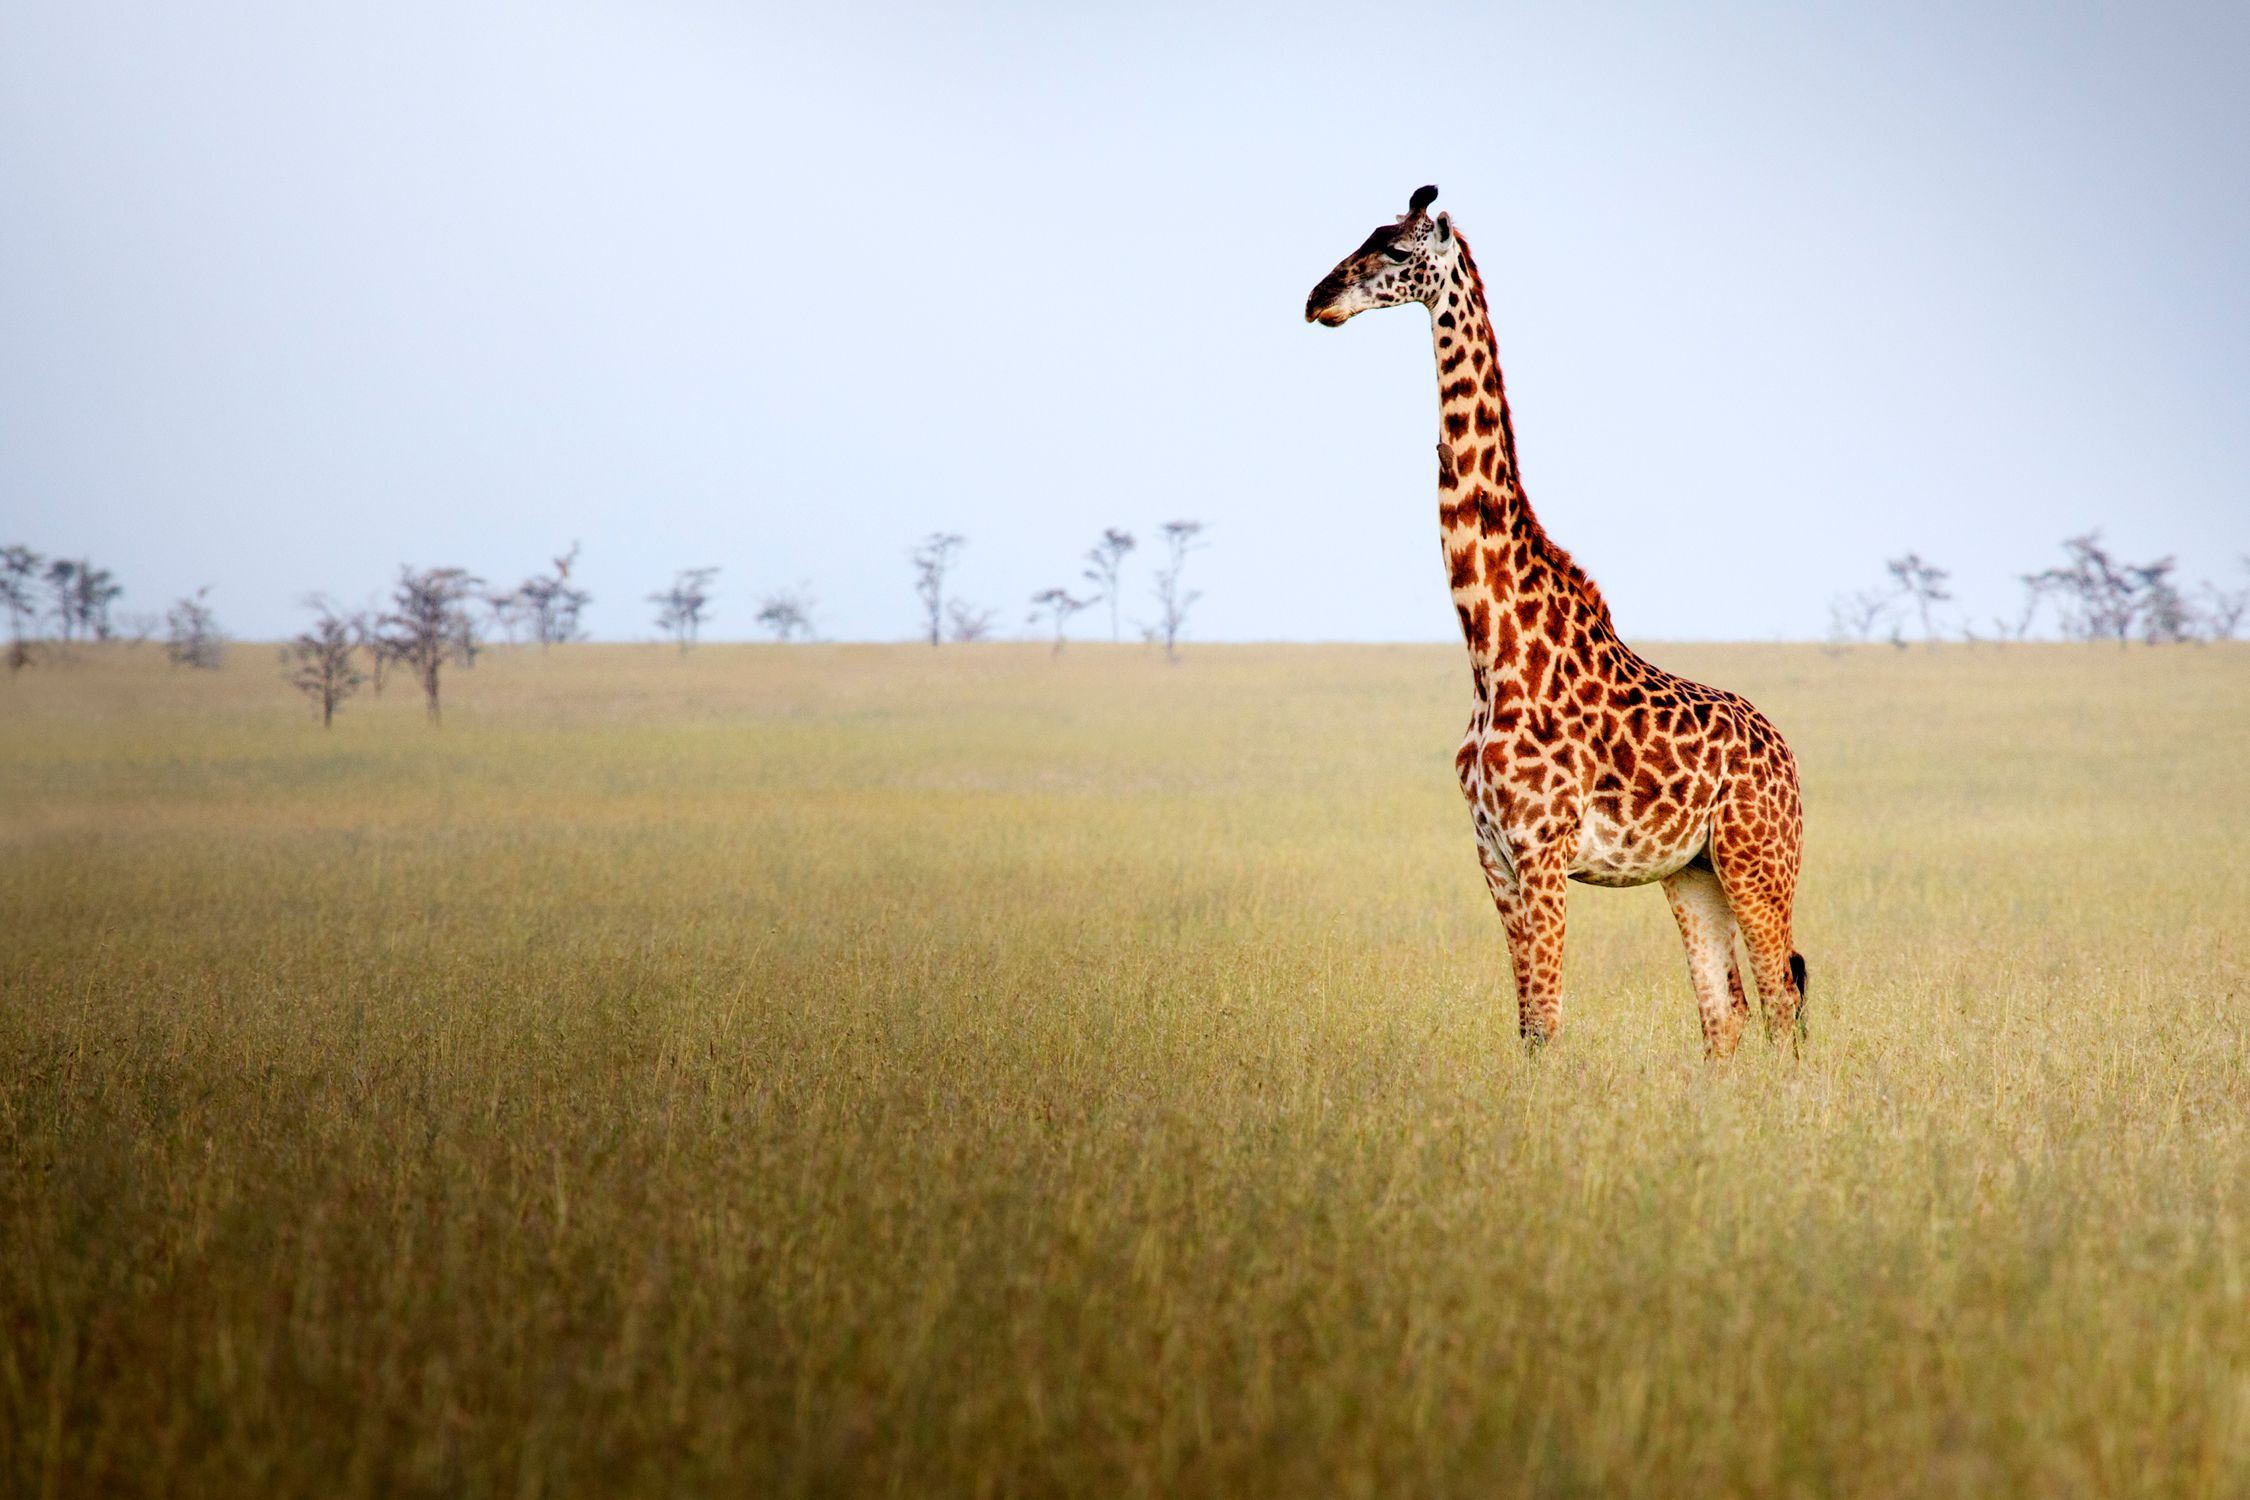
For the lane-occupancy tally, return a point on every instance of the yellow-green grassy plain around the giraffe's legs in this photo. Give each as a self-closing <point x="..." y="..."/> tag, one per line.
<point x="840" y="1072"/>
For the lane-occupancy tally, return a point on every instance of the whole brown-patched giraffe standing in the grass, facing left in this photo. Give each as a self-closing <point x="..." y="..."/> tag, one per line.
<point x="1583" y="761"/>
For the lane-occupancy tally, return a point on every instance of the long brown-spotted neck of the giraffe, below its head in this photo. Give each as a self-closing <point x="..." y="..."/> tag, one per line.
<point x="1511" y="584"/>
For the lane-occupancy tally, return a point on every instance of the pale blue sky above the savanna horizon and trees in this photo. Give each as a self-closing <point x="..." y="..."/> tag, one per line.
<point x="294" y="293"/>
